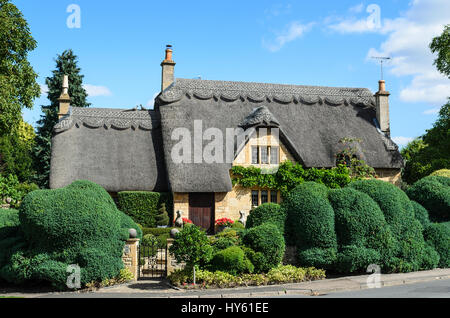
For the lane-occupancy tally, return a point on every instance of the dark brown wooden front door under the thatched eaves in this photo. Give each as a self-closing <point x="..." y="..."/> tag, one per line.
<point x="201" y="210"/>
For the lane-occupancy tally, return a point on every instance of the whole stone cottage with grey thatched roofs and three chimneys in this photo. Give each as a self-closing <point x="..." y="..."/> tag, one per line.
<point x="138" y="149"/>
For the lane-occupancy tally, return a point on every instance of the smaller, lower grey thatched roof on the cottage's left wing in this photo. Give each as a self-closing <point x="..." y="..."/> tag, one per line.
<point x="116" y="148"/>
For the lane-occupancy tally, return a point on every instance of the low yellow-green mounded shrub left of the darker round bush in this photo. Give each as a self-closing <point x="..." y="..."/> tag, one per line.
<point x="231" y="260"/>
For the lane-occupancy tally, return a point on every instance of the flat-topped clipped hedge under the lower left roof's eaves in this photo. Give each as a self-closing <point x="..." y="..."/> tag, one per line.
<point x="143" y="206"/>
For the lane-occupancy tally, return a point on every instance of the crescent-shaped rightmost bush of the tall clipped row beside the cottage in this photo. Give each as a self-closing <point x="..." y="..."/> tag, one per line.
<point x="400" y="216"/>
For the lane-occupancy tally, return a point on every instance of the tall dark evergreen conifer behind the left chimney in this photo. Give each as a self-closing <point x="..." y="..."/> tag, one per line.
<point x="66" y="64"/>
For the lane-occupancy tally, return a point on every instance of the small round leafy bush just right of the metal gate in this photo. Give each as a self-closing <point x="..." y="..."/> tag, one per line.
<point x="191" y="245"/>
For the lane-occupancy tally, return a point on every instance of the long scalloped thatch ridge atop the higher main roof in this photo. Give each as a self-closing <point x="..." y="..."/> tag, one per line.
<point x="264" y="92"/>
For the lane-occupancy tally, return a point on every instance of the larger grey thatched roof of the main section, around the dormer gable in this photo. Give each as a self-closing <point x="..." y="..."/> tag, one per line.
<point x="313" y="118"/>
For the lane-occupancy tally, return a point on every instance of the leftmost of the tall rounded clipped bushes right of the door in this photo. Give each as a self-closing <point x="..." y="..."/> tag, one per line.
<point x="310" y="217"/>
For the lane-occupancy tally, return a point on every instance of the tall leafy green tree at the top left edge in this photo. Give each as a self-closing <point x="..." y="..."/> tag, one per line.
<point x="18" y="86"/>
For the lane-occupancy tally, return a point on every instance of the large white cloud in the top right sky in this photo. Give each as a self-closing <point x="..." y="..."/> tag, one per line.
<point x="407" y="43"/>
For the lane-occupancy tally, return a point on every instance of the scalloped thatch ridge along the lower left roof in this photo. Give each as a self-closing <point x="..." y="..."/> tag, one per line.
<point x="119" y="119"/>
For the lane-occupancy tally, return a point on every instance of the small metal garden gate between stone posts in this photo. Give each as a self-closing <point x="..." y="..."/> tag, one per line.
<point x="152" y="261"/>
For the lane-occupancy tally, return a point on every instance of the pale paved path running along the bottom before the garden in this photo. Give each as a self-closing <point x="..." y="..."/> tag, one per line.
<point x="357" y="284"/>
